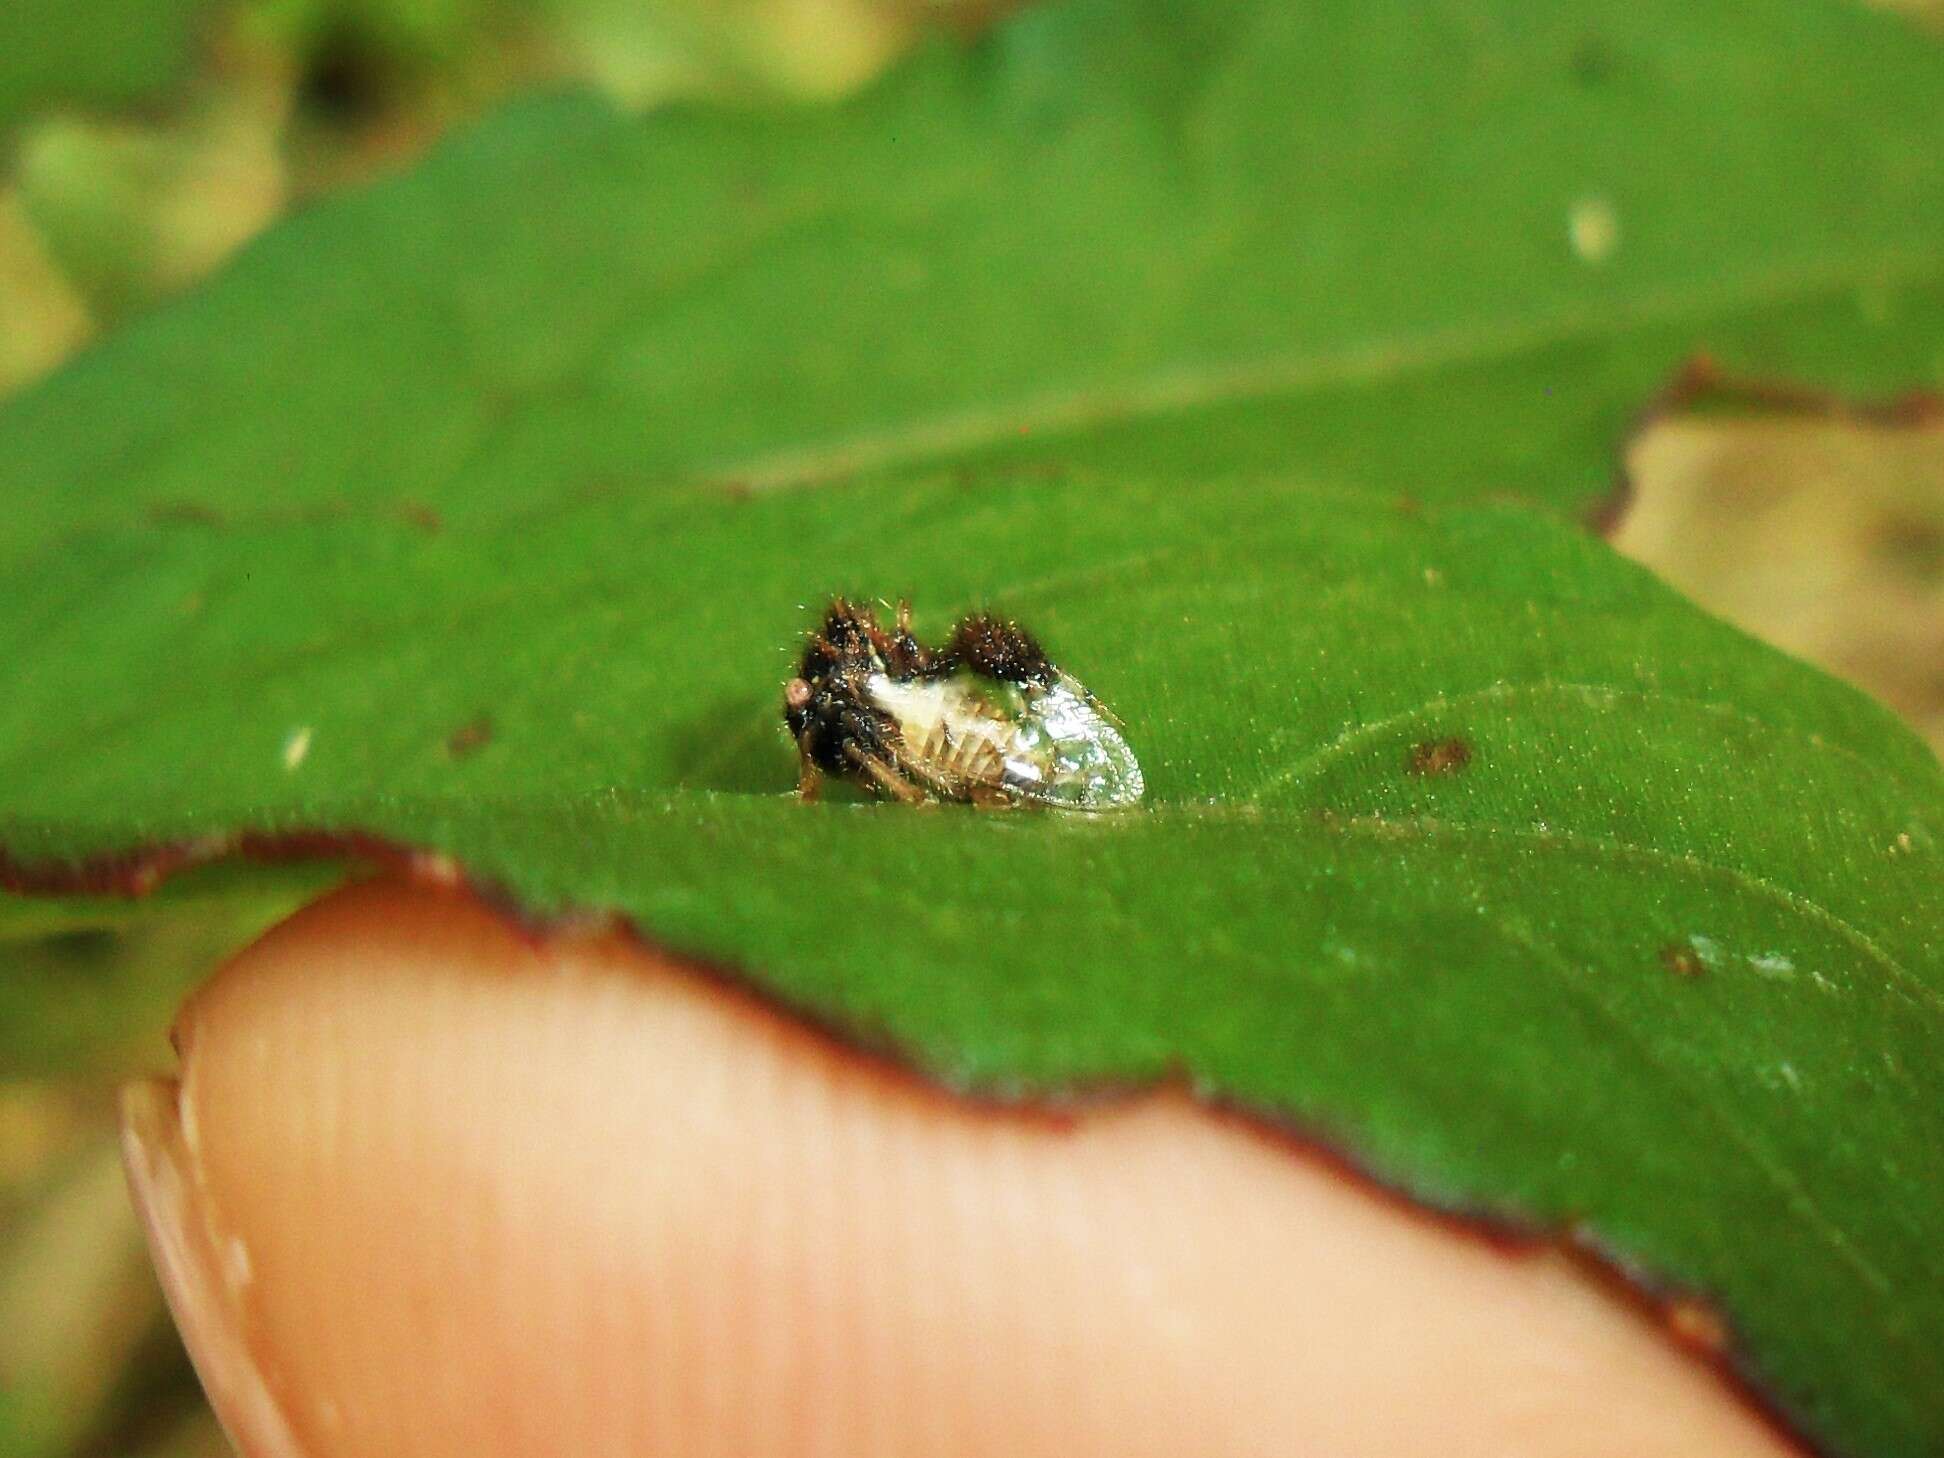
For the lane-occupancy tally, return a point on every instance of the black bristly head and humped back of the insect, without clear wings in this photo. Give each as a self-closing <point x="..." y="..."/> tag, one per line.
<point x="833" y="718"/>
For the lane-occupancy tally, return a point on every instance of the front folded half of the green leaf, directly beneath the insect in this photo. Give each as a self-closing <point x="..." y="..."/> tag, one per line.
<point x="1463" y="979"/>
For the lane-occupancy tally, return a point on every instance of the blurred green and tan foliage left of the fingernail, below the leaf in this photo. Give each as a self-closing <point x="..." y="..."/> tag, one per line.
<point x="88" y="1360"/>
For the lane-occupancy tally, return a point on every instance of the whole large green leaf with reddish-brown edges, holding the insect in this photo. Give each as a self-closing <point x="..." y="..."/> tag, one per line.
<point x="1247" y="357"/>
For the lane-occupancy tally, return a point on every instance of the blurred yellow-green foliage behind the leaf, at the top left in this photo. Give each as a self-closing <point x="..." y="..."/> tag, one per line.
<point x="244" y="108"/>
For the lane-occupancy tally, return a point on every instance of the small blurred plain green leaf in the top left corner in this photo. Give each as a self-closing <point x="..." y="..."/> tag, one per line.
<point x="102" y="53"/>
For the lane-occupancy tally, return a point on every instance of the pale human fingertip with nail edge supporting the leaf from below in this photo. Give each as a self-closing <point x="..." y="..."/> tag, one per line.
<point x="434" y="1187"/>
